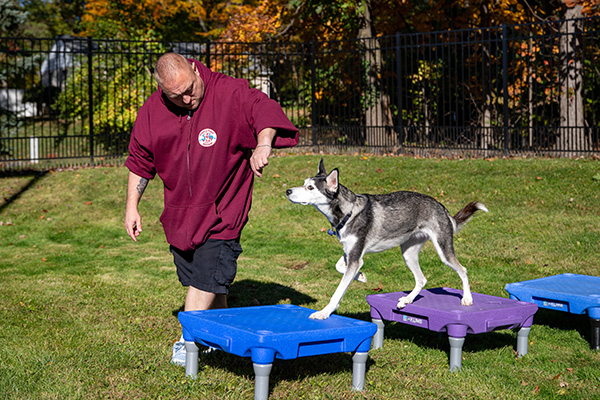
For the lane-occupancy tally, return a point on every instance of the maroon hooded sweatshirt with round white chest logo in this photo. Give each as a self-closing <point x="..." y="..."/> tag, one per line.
<point x="203" y="157"/>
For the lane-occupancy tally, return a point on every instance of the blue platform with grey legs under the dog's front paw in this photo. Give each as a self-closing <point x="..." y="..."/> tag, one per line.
<point x="280" y="331"/>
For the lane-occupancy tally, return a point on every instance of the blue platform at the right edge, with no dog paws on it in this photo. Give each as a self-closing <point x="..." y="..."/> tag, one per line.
<point x="572" y="293"/>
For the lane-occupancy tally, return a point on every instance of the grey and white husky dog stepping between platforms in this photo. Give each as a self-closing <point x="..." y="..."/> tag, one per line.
<point x="366" y="223"/>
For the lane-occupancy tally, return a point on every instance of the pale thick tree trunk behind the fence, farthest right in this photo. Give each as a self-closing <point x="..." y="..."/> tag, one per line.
<point x="572" y="136"/>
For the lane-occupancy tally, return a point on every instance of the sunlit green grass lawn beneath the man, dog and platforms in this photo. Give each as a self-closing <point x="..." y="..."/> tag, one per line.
<point x="87" y="313"/>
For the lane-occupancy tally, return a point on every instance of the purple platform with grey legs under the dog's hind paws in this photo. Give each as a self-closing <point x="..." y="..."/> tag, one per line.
<point x="440" y="310"/>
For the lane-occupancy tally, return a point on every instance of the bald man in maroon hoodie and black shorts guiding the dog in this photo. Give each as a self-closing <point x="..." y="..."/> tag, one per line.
<point x="206" y="135"/>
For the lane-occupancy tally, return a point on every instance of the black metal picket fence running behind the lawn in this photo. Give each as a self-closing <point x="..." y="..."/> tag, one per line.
<point x="524" y="89"/>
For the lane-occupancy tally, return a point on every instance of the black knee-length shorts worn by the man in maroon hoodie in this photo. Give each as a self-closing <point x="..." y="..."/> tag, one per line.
<point x="210" y="267"/>
